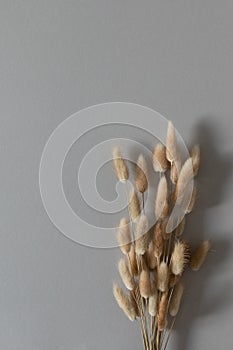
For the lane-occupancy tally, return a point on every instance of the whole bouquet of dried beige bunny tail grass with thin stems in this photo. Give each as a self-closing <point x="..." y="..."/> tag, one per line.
<point x="153" y="264"/>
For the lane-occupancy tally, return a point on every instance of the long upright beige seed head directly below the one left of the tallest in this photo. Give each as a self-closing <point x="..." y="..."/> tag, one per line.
<point x="161" y="202"/>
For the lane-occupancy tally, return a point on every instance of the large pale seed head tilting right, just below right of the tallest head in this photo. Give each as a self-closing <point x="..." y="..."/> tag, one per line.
<point x="186" y="175"/>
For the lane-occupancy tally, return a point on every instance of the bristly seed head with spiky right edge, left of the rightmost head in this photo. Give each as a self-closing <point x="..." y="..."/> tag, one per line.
<point x="179" y="258"/>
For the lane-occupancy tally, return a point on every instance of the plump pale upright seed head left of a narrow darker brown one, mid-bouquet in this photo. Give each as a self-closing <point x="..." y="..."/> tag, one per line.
<point x="141" y="235"/>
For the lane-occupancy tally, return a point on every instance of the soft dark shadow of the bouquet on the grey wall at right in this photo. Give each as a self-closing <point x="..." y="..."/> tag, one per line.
<point x="214" y="176"/>
